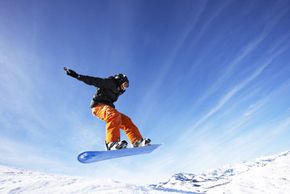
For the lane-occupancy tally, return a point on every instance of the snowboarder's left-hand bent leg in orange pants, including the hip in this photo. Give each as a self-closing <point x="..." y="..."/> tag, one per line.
<point x="113" y="121"/>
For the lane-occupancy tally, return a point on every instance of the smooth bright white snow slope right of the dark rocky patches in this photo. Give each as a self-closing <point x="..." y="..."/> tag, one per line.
<point x="274" y="177"/>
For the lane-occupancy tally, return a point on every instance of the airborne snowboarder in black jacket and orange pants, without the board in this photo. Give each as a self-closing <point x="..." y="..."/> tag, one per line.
<point x="102" y="106"/>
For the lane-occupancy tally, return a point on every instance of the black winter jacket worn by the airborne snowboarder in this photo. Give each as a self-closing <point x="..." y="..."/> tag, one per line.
<point x="108" y="90"/>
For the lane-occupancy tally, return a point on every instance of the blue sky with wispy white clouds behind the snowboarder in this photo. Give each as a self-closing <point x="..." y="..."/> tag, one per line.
<point x="208" y="79"/>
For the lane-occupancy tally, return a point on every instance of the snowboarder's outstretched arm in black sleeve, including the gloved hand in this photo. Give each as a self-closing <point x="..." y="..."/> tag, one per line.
<point x="95" y="81"/>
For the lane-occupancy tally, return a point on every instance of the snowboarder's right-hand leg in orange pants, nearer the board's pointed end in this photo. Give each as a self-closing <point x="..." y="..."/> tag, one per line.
<point x="130" y="129"/>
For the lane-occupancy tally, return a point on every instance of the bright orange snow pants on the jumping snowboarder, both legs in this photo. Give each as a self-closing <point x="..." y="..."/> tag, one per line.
<point x="116" y="121"/>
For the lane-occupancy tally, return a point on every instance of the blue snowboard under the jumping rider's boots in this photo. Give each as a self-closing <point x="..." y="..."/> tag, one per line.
<point x="97" y="156"/>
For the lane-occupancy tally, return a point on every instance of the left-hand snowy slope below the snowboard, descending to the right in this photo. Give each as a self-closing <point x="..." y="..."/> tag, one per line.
<point x="14" y="181"/>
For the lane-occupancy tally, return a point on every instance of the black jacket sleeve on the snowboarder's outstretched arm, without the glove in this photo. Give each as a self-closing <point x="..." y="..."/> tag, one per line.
<point x="95" y="81"/>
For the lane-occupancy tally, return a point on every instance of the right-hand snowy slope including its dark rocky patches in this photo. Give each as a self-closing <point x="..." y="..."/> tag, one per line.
<point x="265" y="175"/>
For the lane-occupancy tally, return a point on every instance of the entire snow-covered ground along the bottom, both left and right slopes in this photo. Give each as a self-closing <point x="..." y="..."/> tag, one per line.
<point x="264" y="175"/>
